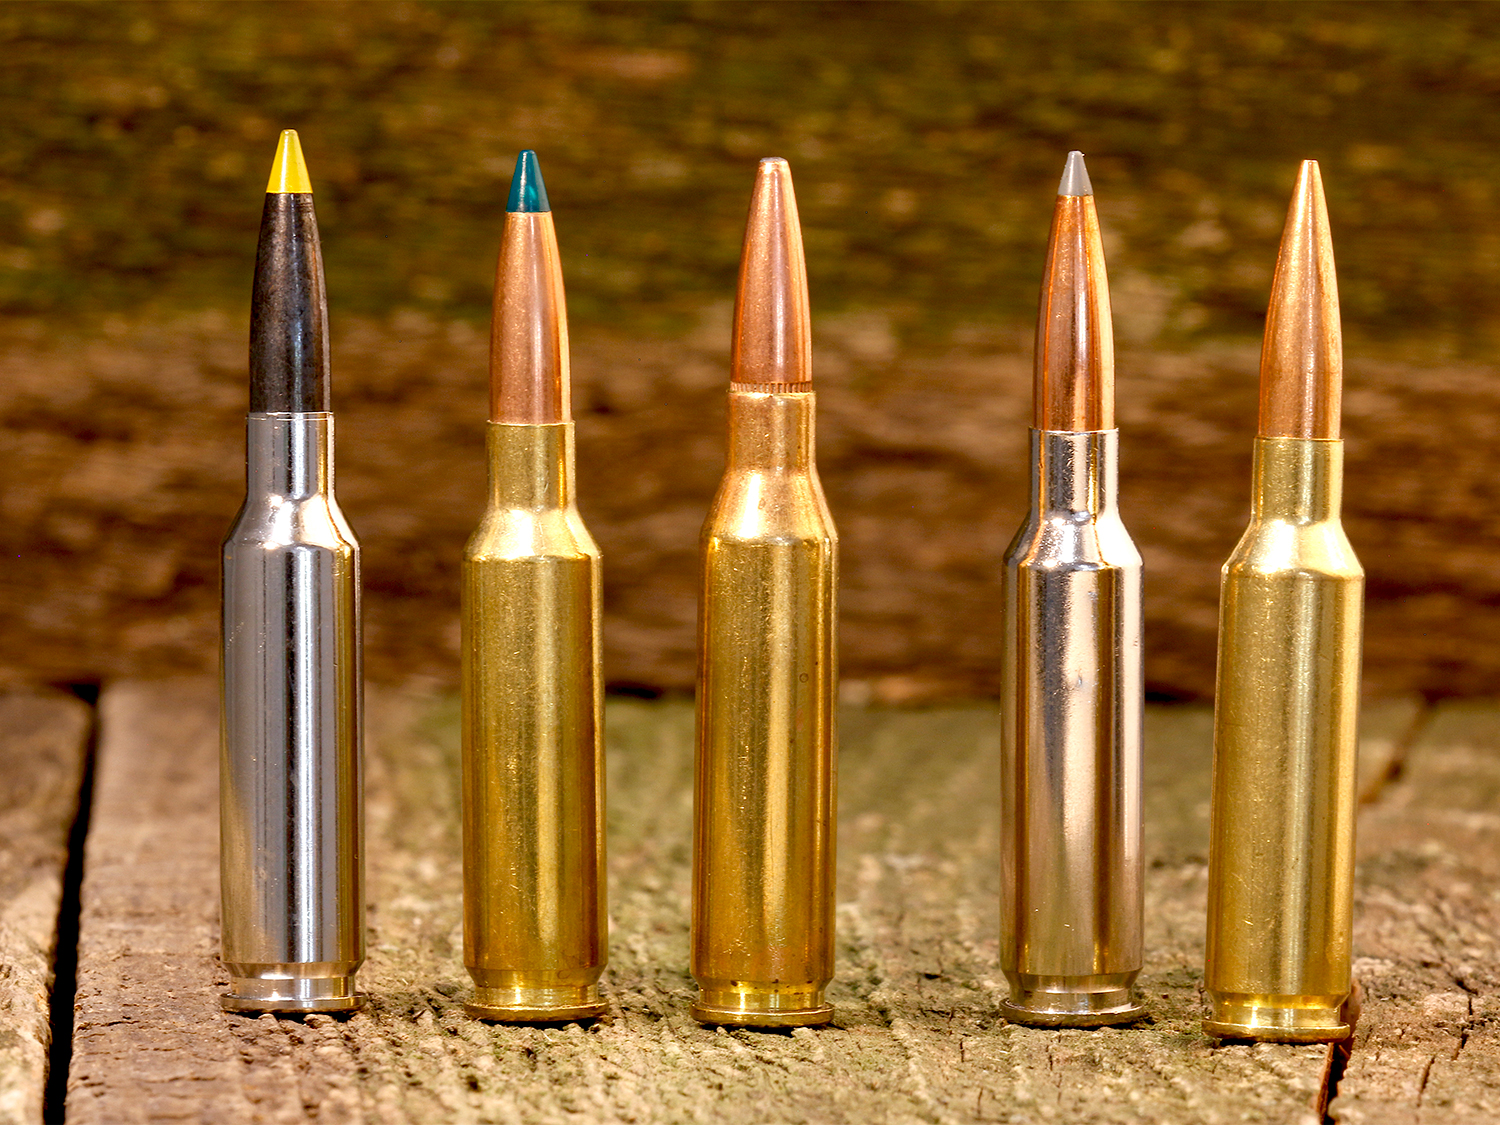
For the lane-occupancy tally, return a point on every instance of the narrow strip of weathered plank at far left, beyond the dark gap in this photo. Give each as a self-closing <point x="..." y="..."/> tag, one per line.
<point x="43" y="749"/>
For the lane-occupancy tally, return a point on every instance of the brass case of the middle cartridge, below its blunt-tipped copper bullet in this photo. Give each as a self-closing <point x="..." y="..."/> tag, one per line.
<point x="763" y="937"/>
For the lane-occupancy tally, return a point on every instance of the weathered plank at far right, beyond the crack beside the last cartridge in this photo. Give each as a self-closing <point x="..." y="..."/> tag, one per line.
<point x="1427" y="1049"/>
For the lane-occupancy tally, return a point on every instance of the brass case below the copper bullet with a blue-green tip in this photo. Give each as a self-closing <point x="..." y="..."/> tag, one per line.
<point x="535" y="919"/>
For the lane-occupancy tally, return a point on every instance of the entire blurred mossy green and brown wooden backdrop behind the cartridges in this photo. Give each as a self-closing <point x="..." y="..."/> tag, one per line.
<point x="926" y="142"/>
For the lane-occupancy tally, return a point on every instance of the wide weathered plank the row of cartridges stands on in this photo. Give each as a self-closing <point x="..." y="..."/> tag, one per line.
<point x="917" y="1036"/>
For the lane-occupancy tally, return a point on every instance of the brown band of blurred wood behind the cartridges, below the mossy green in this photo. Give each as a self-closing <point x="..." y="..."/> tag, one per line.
<point x="116" y="505"/>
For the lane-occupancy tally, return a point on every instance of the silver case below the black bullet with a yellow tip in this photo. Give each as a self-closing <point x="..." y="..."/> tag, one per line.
<point x="290" y="793"/>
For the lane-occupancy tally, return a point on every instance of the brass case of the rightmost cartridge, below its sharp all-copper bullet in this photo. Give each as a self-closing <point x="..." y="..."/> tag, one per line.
<point x="1282" y="853"/>
